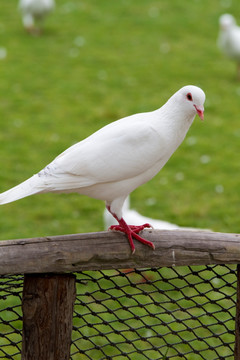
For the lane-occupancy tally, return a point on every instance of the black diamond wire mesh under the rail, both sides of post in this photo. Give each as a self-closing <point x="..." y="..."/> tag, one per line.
<point x="165" y="313"/>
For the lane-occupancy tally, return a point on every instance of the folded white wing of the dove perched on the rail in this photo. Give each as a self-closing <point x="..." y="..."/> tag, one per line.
<point x="119" y="151"/>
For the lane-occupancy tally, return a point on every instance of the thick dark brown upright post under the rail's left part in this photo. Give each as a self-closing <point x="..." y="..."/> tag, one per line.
<point x="47" y="305"/>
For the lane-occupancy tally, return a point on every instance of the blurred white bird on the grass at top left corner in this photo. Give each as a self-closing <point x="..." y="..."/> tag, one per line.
<point x="34" y="11"/>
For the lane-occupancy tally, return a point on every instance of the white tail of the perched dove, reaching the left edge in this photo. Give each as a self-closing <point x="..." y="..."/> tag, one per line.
<point x="29" y="187"/>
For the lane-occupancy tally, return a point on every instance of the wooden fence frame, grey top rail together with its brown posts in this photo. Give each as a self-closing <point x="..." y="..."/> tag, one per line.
<point x="49" y="286"/>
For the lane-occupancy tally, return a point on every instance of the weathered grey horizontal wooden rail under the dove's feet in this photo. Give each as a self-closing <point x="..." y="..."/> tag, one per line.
<point x="107" y="250"/>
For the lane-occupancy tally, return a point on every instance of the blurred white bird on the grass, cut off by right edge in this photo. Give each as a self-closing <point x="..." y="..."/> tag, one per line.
<point x="229" y="39"/>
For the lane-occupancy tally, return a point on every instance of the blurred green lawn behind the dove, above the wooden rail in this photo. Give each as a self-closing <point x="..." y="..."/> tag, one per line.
<point x="98" y="61"/>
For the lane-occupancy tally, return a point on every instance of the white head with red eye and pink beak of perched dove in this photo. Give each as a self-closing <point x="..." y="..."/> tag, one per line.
<point x="191" y="99"/>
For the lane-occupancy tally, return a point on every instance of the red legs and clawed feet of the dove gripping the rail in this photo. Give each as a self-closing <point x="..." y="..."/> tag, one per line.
<point x="131" y="231"/>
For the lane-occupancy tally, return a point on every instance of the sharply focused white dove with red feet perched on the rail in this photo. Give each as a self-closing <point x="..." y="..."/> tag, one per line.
<point x="115" y="160"/>
